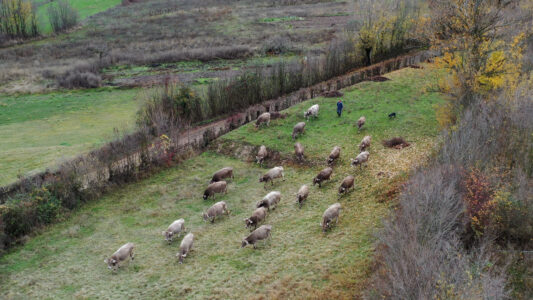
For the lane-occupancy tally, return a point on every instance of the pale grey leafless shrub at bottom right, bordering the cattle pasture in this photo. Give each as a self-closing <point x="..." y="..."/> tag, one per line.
<point x="420" y="256"/>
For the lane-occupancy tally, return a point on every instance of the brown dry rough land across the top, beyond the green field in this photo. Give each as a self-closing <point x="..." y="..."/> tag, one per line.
<point x="154" y="32"/>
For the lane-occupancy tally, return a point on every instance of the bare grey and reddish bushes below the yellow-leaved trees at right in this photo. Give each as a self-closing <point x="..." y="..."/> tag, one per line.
<point x="437" y="245"/>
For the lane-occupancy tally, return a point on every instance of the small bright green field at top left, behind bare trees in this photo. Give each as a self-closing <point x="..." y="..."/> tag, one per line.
<point x="85" y="8"/>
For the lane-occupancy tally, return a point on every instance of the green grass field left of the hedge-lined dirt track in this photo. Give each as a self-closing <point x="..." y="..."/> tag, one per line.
<point x="38" y="131"/>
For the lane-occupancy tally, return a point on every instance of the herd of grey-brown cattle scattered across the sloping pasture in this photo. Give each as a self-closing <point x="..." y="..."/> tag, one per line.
<point x="218" y="185"/>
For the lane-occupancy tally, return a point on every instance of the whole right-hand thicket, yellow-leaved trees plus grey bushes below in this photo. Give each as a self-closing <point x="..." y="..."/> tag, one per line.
<point x="458" y="215"/>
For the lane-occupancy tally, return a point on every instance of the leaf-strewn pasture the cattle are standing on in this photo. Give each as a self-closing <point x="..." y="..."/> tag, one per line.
<point x="66" y="259"/>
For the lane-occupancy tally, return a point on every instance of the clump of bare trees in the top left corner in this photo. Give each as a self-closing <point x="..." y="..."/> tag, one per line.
<point x="17" y="19"/>
